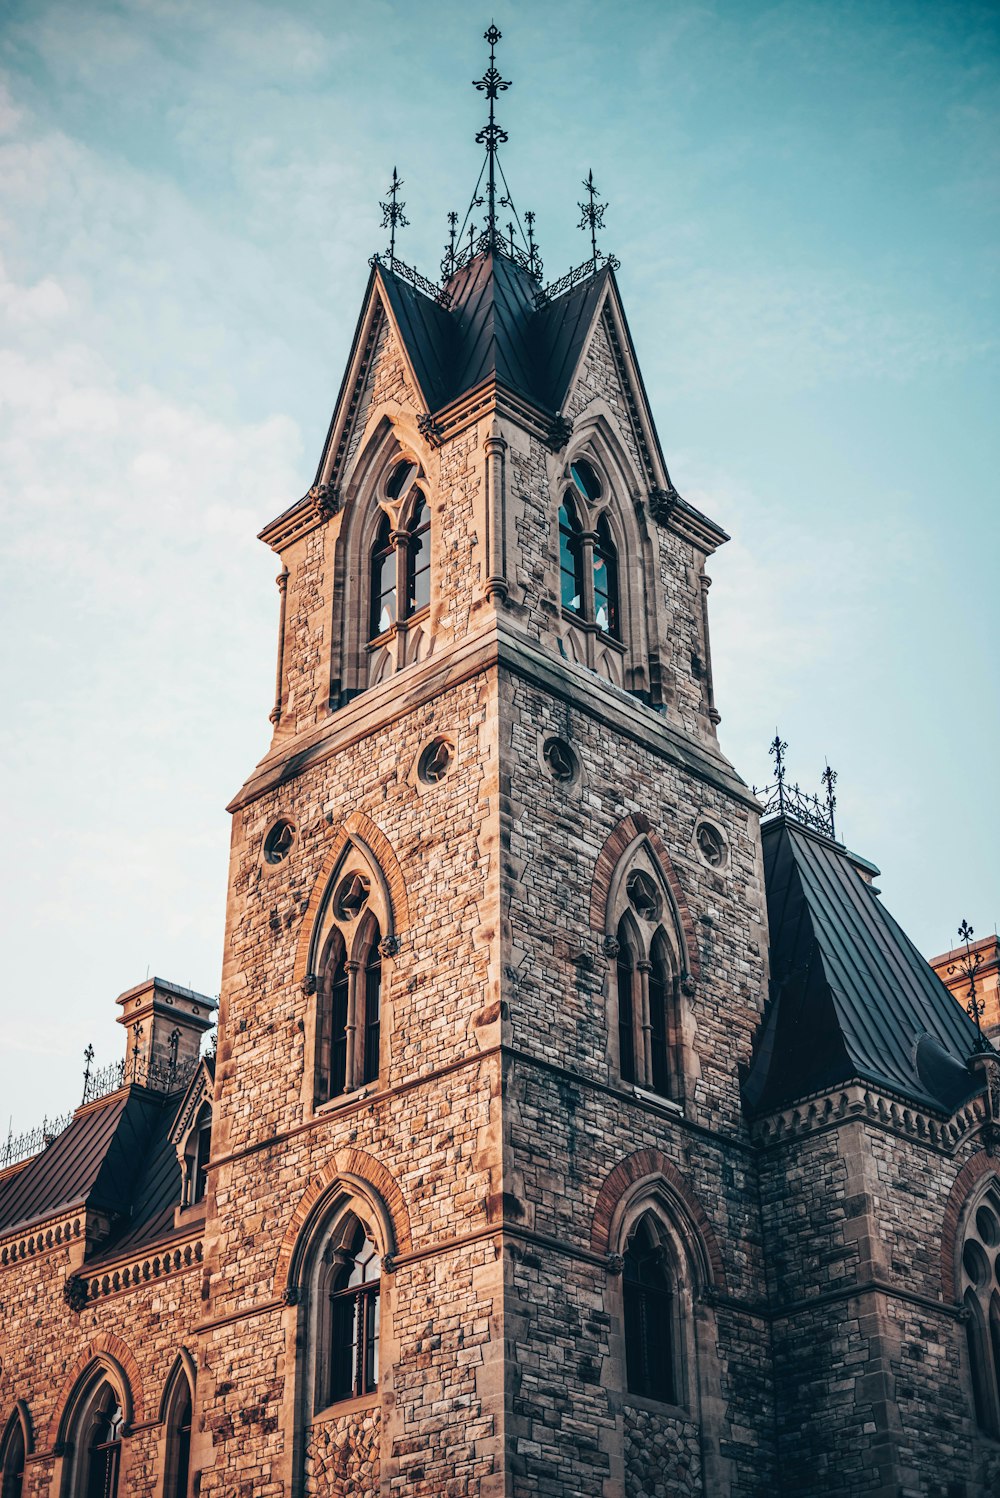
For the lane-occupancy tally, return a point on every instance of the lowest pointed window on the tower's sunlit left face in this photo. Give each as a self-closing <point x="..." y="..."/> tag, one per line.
<point x="350" y="1316"/>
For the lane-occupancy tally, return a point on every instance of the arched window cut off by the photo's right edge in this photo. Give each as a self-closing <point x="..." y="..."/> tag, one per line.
<point x="981" y="1300"/>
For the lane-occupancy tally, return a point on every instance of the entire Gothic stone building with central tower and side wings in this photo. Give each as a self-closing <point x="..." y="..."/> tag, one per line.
<point x="570" y="1132"/>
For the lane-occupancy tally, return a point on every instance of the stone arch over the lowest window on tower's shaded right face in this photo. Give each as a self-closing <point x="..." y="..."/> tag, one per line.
<point x="649" y="1174"/>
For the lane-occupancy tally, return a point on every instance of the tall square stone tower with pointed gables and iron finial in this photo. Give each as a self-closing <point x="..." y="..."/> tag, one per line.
<point x="483" y="1216"/>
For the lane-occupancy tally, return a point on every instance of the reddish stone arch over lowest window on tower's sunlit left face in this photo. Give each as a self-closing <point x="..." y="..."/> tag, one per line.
<point x="353" y="1172"/>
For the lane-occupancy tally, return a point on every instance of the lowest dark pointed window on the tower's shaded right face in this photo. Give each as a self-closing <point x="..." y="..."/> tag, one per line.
<point x="649" y="1298"/>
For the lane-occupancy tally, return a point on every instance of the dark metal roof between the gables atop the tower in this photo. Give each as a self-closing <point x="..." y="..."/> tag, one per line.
<point x="493" y="330"/>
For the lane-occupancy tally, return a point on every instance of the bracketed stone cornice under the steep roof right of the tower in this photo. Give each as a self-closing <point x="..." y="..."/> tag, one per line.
<point x="860" y="1102"/>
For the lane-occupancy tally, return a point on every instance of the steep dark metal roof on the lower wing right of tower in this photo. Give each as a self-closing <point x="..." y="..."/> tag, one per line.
<point x="851" y="997"/>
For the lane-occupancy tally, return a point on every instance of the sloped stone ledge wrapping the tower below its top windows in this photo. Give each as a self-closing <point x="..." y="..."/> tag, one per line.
<point x="496" y="646"/>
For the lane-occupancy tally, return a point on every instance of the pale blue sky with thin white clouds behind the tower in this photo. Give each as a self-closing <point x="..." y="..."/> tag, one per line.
<point x="805" y="200"/>
